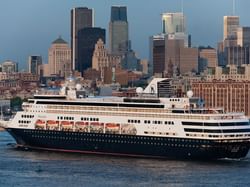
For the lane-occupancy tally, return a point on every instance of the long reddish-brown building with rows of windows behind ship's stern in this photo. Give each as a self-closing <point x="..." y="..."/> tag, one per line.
<point x="233" y="96"/>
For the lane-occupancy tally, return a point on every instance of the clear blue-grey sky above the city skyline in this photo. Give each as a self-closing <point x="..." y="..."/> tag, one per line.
<point x="27" y="27"/>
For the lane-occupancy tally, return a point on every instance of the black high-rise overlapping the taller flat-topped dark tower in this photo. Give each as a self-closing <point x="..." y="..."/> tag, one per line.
<point x="87" y="39"/>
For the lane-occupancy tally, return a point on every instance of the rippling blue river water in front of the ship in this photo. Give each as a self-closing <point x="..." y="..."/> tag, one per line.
<point x="45" y="169"/>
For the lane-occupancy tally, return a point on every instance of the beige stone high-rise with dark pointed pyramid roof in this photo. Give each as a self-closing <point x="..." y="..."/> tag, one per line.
<point x="59" y="58"/>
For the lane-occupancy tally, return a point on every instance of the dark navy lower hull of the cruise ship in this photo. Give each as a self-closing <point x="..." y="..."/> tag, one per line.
<point x="116" y="144"/>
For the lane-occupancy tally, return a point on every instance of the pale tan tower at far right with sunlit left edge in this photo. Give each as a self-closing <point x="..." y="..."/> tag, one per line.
<point x="231" y="23"/>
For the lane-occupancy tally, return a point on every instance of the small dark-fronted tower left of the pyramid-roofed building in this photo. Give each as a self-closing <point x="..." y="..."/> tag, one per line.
<point x="34" y="63"/>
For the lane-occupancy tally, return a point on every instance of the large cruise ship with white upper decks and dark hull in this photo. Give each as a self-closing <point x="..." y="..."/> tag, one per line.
<point x="150" y="125"/>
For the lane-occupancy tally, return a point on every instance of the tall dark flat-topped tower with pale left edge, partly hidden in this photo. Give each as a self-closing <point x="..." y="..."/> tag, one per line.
<point x="81" y="18"/>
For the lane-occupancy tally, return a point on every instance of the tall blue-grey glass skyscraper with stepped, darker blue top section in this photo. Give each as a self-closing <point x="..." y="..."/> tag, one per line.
<point x="118" y="30"/>
